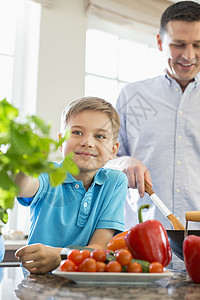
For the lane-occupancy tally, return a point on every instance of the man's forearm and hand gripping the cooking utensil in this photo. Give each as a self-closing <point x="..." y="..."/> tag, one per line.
<point x="136" y="172"/>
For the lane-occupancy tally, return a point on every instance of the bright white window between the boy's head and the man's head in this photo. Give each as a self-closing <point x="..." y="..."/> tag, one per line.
<point x="112" y="62"/>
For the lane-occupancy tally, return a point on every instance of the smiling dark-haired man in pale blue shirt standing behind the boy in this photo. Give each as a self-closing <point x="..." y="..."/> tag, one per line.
<point x="160" y="123"/>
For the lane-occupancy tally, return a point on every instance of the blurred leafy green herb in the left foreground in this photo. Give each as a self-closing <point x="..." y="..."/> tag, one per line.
<point x="25" y="146"/>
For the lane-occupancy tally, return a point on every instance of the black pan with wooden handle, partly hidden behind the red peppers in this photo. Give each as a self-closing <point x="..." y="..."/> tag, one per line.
<point x="176" y="237"/>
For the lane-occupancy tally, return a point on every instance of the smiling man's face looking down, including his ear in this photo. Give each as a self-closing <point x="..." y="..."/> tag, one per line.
<point x="181" y="44"/>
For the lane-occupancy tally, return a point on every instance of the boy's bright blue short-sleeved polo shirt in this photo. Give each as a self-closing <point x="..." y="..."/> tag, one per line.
<point x="69" y="215"/>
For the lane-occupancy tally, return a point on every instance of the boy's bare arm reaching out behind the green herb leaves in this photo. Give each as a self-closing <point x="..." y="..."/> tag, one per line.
<point x="28" y="185"/>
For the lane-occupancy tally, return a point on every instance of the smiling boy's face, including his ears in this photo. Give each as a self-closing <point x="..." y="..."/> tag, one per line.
<point x="91" y="140"/>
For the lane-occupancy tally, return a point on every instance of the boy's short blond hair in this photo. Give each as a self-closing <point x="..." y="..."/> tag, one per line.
<point x="92" y="104"/>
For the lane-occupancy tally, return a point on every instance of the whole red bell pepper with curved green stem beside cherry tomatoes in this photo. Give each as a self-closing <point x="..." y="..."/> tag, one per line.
<point x="149" y="241"/>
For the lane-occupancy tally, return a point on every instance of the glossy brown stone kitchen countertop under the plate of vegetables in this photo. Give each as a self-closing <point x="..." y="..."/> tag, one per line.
<point x="17" y="283"/>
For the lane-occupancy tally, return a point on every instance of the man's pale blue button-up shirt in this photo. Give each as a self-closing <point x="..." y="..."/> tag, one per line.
<point x="160" y="126"/>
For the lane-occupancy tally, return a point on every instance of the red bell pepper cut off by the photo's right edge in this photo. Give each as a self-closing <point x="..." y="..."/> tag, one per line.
<point x="191" y="254"/>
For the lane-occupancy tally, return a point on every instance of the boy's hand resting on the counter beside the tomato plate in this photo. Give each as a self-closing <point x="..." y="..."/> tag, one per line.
<point x="38" y="258"/>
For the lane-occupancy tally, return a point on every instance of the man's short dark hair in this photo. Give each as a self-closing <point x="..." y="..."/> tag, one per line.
<point x="188" y="11"/>
